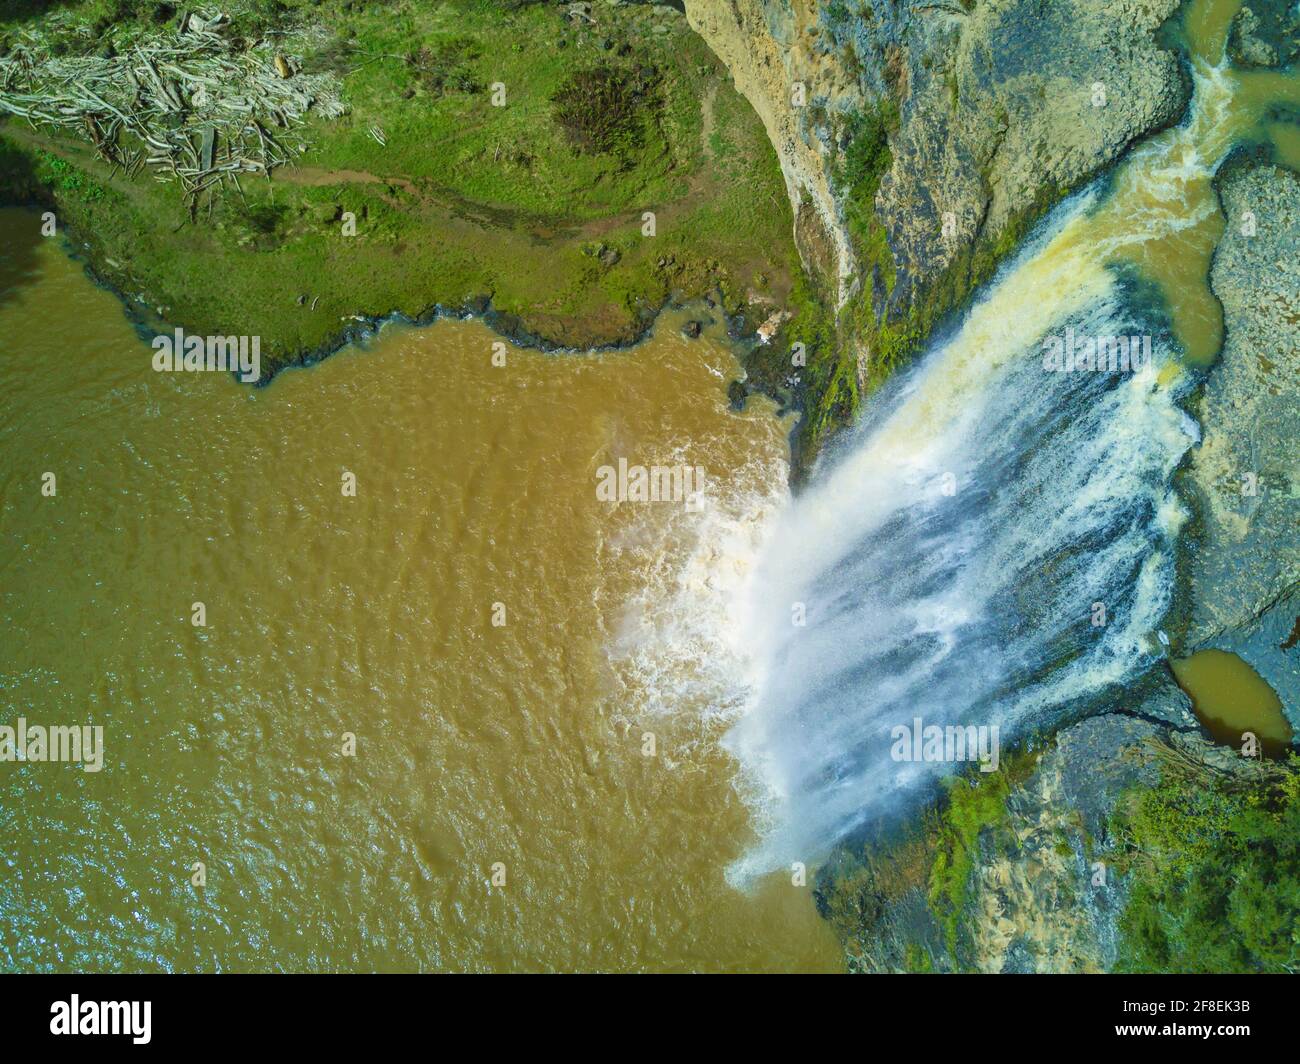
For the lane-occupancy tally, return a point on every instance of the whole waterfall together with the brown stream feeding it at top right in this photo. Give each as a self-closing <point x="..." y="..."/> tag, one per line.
<point x="994" y="547"/>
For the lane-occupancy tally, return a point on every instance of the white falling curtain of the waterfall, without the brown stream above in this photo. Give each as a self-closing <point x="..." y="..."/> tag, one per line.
<point x="948" y="565"/>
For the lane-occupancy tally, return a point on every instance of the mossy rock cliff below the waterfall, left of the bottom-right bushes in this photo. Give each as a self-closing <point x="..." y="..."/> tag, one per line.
<point x="1048" y="868"/>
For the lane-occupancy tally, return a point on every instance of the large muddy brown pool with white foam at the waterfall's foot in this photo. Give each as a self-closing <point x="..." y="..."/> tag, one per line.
<point x="522" y="745"/>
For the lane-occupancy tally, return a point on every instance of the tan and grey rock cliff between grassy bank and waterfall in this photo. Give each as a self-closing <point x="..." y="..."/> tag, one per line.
<point x="995" y="110"/>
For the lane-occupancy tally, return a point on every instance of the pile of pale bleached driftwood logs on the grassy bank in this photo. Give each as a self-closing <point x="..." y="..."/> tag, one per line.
<point x="196" y="107"/>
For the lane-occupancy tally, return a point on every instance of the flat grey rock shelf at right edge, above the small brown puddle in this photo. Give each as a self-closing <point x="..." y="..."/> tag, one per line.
<point x="1245" y="478"/>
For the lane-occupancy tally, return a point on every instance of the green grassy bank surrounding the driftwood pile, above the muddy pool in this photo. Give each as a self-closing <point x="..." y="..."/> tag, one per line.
<point x="538" y="206"/>
